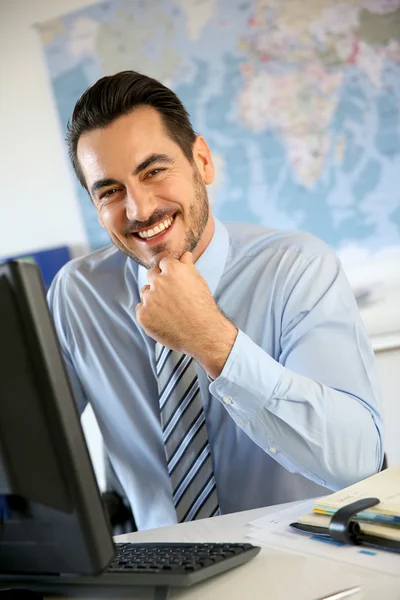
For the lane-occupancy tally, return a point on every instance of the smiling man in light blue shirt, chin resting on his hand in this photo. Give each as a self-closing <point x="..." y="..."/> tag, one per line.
<point x="226" y="364"/>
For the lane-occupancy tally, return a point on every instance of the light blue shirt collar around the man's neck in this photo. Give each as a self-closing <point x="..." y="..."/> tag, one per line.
<point x="211" y="263"/>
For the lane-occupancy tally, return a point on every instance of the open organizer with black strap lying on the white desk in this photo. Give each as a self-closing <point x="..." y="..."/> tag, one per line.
<point x="367" y="512"/>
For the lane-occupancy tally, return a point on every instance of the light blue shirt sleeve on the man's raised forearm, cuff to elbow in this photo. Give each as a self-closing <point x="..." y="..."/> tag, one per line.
<point x="327" y="435"/>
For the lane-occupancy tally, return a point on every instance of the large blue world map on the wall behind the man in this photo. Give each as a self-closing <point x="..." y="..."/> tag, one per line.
<point x="299" y="102"/>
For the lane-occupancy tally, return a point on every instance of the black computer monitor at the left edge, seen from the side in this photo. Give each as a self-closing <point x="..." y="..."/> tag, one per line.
<point x="51" y="513"/>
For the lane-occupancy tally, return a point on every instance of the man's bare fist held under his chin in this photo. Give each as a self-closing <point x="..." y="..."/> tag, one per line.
<point x="178" y="310"/>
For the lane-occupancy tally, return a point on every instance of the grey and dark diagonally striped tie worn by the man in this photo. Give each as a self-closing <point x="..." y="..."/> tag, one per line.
<point x="185" y="436"/>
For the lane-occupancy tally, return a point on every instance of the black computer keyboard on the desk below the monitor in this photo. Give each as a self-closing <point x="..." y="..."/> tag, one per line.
<point x="159" y="565"/>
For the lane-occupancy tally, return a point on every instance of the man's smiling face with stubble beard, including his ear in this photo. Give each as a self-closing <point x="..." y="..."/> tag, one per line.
<point x="151" y="200"/>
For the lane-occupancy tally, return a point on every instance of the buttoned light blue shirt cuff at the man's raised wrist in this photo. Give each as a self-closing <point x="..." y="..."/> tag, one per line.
<point x="248" y="379"/>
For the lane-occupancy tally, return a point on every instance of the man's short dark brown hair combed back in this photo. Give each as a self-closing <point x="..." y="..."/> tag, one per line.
<point x="117" y="95"/>
